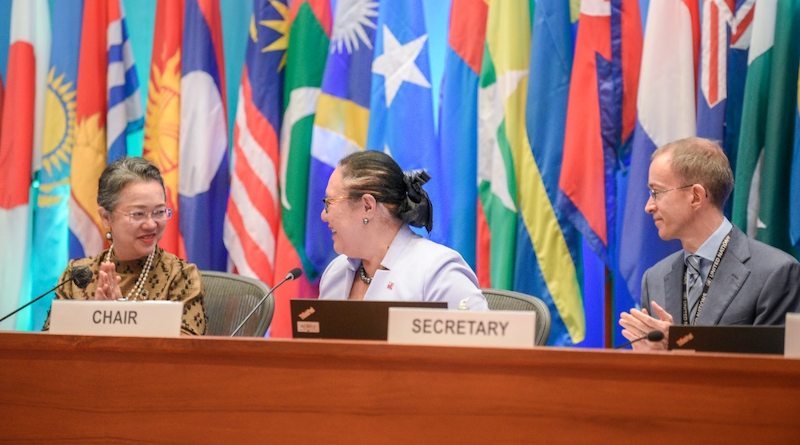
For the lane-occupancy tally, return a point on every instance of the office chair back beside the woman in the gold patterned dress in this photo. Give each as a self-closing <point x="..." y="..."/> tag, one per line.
<point x="229" y="298"/>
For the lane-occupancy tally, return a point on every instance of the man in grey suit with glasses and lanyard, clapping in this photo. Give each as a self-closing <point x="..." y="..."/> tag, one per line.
<point x="721" y="277"/>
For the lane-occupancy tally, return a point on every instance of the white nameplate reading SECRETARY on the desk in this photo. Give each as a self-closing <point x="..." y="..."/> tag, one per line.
<point x="504" y="329"/>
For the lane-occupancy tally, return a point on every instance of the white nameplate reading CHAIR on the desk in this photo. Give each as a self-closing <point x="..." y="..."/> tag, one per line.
<point x="116" y="318"/>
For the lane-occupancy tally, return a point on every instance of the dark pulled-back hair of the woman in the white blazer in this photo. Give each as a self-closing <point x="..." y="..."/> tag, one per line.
<point x="377" y="174"/>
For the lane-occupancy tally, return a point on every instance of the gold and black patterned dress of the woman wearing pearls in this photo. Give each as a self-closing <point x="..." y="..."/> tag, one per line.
<point x="170" y="278"/>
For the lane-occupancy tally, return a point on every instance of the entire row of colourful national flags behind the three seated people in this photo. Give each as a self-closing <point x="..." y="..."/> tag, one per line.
<point x="548" y="115"/>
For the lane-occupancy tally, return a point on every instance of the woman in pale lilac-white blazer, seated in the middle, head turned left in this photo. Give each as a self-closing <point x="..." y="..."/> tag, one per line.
<point x="369" y="206"/>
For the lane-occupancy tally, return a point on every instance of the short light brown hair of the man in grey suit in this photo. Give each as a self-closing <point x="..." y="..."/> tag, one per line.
<point x="701" y="161"/>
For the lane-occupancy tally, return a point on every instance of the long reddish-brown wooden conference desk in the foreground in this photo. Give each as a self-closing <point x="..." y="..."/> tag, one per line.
<point x="72" y="389"/>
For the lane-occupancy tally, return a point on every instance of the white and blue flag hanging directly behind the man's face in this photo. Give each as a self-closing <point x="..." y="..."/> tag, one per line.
<point x="666" y="112"/>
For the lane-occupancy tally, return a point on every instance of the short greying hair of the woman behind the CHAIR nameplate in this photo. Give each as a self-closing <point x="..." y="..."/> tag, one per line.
<point x="119" y="174"/>
